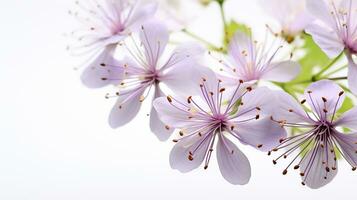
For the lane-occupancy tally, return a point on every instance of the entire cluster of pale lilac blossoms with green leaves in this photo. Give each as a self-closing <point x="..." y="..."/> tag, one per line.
<point x="213" y="107"/>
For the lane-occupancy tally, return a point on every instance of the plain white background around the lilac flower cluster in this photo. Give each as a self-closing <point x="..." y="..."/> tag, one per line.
<point x="55" y="142"/>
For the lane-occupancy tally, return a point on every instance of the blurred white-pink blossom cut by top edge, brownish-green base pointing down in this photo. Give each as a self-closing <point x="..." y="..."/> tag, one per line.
<point x="291" y="16"/>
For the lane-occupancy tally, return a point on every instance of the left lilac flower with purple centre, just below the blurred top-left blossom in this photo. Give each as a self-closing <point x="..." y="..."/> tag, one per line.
<point x="145" y="71"/>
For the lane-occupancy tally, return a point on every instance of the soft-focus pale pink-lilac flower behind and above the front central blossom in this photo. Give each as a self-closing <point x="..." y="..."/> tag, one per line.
<point x="249" y="60"/>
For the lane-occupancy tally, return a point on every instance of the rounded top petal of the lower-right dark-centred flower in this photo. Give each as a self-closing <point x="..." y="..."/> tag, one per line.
<point x="328" y="90"/>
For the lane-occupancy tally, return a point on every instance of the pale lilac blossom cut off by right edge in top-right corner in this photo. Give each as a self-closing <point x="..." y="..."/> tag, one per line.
<point x="335" y="31"/>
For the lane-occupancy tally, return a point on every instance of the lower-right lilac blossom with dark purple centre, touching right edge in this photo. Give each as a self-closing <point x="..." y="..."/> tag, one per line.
<point x="321" y="139"/>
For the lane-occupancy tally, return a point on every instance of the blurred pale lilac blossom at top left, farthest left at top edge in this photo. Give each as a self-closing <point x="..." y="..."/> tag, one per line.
<point x="106" y="23"/>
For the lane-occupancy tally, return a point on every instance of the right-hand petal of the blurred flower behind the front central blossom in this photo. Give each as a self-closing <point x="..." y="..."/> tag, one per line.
<point x="281" y="72"/>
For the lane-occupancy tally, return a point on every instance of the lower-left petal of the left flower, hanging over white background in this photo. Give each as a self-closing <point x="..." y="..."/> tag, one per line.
<point x="122" y="114"/>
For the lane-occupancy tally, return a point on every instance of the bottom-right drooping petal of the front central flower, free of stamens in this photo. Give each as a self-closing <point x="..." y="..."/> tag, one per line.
<point x="233" y="164"/>
